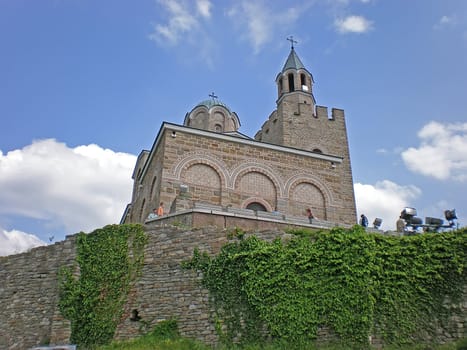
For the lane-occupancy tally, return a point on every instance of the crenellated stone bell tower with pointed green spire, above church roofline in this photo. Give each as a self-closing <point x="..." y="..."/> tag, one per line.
<point x="298" y="121"/>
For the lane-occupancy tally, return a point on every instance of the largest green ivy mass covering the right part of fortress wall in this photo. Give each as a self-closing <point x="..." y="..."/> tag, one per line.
<point x="355" y="284"/>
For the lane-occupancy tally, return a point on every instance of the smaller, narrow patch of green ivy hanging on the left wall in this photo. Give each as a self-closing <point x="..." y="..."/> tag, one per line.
<point x="93" y="295"/>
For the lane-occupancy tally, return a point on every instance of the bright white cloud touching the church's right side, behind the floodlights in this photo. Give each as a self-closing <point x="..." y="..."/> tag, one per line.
<point x="384" y="200"/>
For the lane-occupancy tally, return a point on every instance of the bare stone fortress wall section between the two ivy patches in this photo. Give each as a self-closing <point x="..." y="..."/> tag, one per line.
<point x="167" y="291"/>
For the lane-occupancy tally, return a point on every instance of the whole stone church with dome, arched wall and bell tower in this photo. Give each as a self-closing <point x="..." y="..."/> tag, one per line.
<point x="298" y="160"/>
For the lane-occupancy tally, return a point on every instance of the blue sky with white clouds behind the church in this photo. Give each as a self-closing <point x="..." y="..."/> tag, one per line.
<point x="85" y="86"/>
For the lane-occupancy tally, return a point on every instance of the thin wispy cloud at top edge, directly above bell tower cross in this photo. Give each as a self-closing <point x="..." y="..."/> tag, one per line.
<point x="259" y="23"/>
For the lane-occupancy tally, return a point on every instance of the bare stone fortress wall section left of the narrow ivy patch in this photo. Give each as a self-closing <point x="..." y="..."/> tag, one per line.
<point x="29" y="297"/>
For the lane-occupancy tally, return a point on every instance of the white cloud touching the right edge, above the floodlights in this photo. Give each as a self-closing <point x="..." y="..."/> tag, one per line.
<point x="442" y="153"/>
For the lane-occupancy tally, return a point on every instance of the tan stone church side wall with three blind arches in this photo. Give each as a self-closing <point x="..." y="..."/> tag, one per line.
<point x="230" y="173"/>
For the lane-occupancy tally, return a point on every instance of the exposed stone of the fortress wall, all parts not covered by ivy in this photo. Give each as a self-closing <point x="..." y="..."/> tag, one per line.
<point x="29" y="313"/>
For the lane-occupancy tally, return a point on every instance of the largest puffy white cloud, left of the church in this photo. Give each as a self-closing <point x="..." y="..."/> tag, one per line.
<point x="77" y="189"/>
